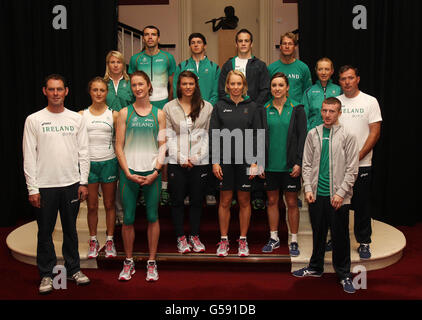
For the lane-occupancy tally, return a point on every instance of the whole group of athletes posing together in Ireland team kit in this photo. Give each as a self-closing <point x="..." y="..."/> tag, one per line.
<point x="144" y="131"/>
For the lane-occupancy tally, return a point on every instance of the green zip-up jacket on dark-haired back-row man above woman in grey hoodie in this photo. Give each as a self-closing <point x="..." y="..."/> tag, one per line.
<point x="208" y="74"/>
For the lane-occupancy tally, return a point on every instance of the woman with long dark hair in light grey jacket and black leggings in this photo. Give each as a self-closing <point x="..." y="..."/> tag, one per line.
<point x="187" y="123"/>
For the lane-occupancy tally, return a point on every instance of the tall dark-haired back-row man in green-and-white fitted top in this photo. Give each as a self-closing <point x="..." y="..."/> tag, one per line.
<point x="159" y="66"/>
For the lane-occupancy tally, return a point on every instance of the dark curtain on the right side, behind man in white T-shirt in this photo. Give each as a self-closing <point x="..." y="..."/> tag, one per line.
<point x="388" y="54"/>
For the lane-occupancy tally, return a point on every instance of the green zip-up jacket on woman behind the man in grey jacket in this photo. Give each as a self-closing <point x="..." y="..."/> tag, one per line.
<point x="313" y="98"/>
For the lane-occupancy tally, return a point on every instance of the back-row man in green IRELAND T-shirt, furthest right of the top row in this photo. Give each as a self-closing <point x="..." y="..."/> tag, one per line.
<point x="297" y="71"/>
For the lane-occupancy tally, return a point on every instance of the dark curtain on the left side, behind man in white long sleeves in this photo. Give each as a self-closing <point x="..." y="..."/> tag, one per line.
<point x="31" y="49"/>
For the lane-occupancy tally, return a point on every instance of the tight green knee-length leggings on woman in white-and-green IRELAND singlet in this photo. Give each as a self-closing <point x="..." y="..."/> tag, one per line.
<point x="129" y="192"/>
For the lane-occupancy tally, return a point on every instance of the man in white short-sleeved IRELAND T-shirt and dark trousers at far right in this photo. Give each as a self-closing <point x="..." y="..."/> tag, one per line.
<point x="361" y="115"/>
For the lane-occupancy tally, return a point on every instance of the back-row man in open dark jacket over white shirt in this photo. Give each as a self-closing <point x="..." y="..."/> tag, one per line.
<point x="253" y="68"/>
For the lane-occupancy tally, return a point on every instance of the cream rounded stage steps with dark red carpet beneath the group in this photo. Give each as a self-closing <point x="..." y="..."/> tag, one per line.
<point x="387" y="242"/>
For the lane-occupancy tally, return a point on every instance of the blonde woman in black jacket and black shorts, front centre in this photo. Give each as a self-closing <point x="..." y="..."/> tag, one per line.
<point x="232" y="113"/>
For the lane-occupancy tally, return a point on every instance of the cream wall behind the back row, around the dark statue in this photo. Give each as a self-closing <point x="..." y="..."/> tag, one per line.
<point x="166" y="18"/>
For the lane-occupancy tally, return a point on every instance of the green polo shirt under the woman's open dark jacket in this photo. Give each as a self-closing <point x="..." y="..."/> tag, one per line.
<point x="278" y="127"/>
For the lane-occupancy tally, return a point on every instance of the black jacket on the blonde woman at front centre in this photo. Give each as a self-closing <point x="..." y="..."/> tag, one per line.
<point x="227" y="115"/>
